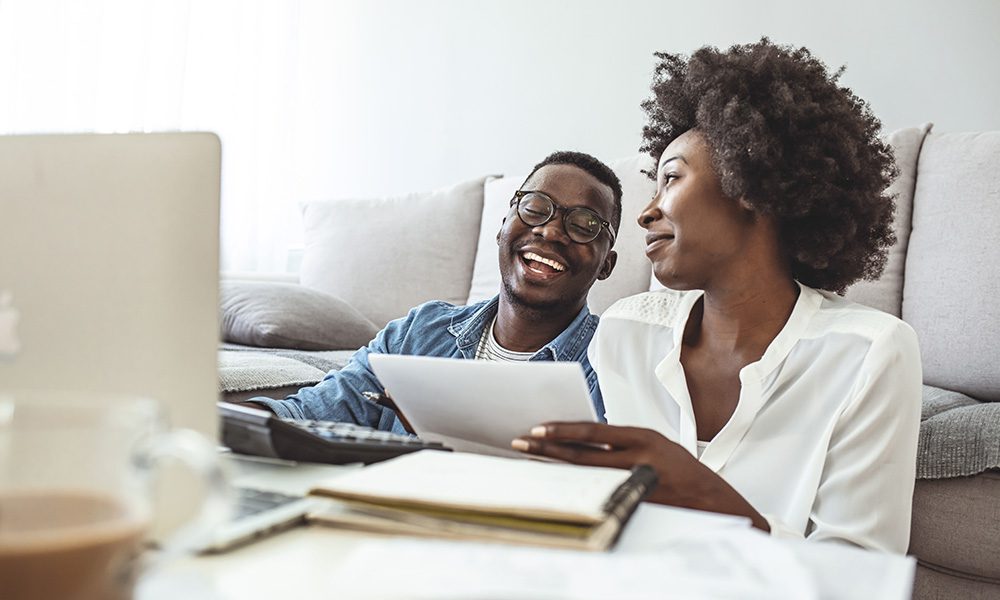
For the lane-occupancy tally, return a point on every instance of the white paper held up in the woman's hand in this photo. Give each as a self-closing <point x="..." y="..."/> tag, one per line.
<point x="480" y="406"/>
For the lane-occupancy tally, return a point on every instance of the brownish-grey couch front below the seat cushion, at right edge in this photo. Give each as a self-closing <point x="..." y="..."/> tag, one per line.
<point x="956" y="525"/>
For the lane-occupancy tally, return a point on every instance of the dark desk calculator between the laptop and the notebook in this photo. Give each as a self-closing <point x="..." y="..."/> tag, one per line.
<point x="258" y="432"/>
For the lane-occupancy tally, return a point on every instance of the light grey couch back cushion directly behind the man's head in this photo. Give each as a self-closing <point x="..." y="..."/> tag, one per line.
<point x="631" y="274"/>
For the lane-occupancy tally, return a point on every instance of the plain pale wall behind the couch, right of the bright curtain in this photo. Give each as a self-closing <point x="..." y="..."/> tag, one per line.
<point x="434" y="92"/>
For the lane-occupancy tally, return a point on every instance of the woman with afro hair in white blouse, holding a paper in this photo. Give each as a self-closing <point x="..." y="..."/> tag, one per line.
<point x="749" y="390"/>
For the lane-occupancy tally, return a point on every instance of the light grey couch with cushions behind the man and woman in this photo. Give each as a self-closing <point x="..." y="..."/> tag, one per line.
<point x="941" y="278"/>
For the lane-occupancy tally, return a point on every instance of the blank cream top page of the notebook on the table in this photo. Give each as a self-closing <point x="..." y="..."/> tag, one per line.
<point x="486" y="483"/>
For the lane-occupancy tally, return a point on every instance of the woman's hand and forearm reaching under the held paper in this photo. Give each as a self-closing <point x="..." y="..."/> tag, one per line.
<point x="683" y="480"/>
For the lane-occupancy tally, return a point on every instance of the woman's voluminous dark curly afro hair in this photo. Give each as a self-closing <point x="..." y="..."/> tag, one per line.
<point x="790" y="142"/>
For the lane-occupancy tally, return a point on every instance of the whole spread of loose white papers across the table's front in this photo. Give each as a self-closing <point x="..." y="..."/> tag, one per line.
<point x="724" y="563"/>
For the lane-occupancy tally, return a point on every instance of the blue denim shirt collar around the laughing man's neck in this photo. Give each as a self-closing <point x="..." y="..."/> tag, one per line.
<point x="569" y="345"/>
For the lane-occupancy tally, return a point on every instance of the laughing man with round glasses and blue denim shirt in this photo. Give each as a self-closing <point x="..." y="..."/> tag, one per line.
<point x="555" y="242"/>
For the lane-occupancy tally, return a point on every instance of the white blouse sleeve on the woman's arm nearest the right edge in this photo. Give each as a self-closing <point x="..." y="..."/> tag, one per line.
<point x="866" y="489"/>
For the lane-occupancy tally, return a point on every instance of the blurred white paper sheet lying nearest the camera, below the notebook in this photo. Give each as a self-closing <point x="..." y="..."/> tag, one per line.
<point x="740" y="565"/>
